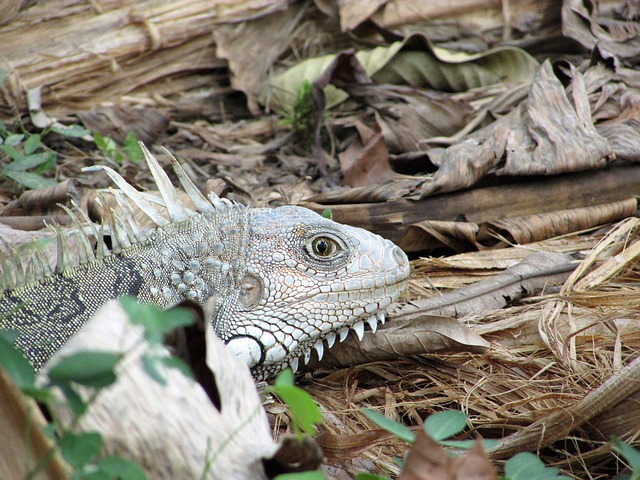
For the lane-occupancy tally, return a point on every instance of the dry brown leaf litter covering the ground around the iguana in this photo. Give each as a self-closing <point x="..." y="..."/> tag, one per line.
<point x="549" y="365"/>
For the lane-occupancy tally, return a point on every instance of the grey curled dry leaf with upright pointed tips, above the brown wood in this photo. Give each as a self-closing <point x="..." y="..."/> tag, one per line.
<point x="547" y="134"/>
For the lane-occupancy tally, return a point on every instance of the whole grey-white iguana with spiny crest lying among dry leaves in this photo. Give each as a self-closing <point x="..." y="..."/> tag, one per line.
<point x="279" y="281"/>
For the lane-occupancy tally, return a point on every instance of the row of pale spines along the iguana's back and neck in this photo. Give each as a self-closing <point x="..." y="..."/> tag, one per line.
<point x="119" y="224"/>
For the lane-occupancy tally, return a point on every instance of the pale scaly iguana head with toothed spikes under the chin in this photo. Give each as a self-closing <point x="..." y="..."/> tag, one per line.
<point x="307" y="280"/>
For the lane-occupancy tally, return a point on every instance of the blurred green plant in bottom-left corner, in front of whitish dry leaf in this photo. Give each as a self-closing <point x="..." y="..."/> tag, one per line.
<point x="94" y="371"/>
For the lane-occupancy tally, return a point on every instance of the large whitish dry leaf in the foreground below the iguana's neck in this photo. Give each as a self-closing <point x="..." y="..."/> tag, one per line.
<point x="238" y="433"/>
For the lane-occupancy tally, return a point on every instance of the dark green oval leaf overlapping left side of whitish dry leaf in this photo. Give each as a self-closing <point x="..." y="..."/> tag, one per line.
<point x="92" y="369"/>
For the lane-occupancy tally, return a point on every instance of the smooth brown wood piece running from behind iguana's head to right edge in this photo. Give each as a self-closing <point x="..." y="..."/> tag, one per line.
<point x="531" y="196"/>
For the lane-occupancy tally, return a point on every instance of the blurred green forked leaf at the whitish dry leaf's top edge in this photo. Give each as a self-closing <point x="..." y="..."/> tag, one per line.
<point x="156" y="322"/>
